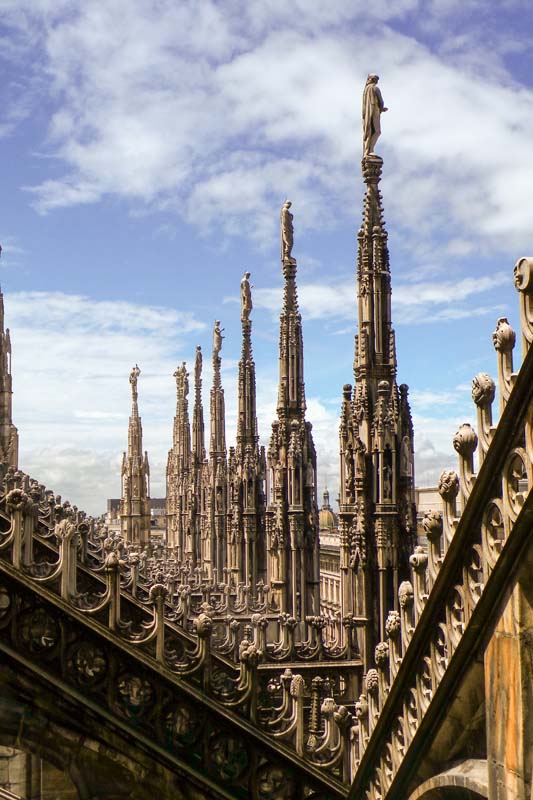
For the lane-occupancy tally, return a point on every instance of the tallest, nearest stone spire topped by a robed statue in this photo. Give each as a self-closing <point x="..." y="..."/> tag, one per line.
<point x="377" y="522"/>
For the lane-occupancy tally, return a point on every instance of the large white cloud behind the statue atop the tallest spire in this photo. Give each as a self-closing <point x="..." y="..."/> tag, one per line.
<point x="223" y="113"/>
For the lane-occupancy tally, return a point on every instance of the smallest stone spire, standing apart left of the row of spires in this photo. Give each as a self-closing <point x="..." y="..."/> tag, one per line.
<point x="135" y="502"/>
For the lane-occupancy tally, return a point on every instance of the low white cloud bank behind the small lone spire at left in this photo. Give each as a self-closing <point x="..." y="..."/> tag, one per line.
<point x="71" y="361"/>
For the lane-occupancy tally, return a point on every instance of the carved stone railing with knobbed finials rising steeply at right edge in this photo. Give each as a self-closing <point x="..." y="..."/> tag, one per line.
<point x="450" y="596"/>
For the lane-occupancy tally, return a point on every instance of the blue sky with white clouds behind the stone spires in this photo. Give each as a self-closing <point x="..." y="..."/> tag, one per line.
<point x="146" y="150"/>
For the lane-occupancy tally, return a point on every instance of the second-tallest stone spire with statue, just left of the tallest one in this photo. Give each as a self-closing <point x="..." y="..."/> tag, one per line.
<point x="292" y="513"/>
